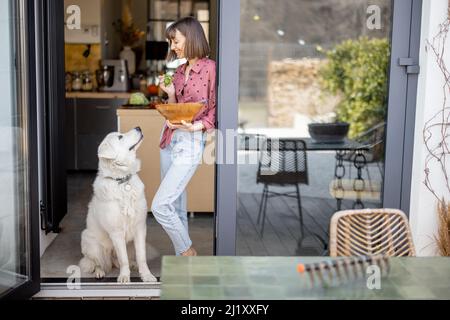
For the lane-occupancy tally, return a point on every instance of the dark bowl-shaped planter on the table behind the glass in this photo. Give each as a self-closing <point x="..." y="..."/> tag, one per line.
<point x="335" y="132"/>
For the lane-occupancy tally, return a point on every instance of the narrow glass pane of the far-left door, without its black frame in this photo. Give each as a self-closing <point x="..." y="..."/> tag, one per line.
<point x="14" y="211"/>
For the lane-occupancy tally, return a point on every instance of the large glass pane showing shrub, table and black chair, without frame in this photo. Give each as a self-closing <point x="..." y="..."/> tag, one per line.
<point x="312" y="110"/>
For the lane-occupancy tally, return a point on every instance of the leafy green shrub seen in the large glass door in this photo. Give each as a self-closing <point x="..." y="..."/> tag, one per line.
<point x="357" y="70"/>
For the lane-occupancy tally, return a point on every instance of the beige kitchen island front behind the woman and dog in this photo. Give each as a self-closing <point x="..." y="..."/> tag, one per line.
<point x="200" y="190"/>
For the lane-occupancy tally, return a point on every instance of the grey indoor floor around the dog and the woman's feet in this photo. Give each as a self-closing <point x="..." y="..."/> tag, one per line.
<point x="66" y="251"/>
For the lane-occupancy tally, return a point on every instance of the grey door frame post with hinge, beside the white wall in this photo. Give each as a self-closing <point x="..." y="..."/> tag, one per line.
<point x="401" y="121"/>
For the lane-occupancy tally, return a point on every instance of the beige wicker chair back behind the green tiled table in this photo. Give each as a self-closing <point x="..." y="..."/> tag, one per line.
<point x="370" y="232"/>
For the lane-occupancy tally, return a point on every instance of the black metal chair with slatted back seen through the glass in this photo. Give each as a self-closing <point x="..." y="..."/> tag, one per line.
<point x="283" y="162"/>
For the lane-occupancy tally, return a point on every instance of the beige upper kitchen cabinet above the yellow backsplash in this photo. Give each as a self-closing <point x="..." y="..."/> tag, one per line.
<point x="90" y="18"/>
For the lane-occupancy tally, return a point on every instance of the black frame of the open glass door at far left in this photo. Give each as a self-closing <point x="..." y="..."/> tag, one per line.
<point x="26" y="27"/>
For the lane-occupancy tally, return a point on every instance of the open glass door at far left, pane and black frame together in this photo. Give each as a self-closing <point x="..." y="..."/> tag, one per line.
<point x="17" y="157"/>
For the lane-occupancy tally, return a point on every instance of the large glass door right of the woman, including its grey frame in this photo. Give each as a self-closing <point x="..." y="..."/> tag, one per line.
<point x="321" y="84"/>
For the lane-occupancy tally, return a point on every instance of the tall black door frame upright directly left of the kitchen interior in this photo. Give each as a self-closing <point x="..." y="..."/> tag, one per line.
<point x="50" y="49"/>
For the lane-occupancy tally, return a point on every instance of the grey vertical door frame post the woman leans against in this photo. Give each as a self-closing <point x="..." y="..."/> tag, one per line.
<point x="228" y="43"/>
